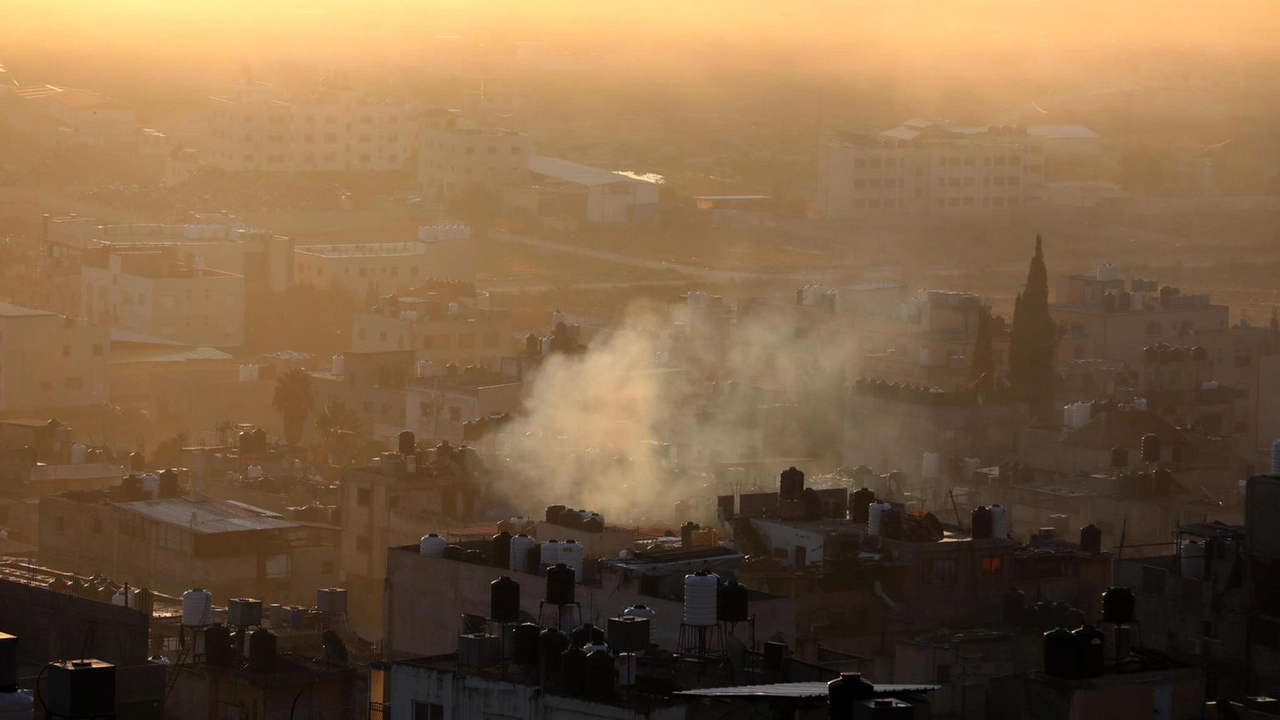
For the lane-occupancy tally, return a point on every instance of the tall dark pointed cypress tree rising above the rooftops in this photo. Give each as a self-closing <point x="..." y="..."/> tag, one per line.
<point x="1032" y="341"/>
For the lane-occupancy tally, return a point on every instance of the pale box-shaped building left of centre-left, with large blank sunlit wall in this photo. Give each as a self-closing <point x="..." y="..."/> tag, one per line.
<point x="158" y="291"/>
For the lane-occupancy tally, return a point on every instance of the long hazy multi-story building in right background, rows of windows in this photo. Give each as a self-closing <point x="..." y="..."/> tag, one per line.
<point x="930" y="167"/>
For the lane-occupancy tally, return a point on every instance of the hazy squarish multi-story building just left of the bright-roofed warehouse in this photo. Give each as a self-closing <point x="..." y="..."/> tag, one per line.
<point x="455" y="153"/>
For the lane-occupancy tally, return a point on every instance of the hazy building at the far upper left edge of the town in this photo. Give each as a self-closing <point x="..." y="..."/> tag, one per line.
<point x="67" y="117"/>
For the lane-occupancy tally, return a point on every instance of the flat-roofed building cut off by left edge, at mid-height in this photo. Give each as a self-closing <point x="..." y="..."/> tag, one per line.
<point x="49" y="362"/>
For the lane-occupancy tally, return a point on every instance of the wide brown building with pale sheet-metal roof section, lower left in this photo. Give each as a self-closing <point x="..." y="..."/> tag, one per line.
<point x="175" y="543"/>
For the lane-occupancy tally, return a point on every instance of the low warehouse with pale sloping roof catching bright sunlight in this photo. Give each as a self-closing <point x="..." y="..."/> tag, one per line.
<point x="593" y="195"/>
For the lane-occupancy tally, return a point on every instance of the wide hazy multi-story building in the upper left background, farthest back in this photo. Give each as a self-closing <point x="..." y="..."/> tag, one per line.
<point x="335" y="130"/>
